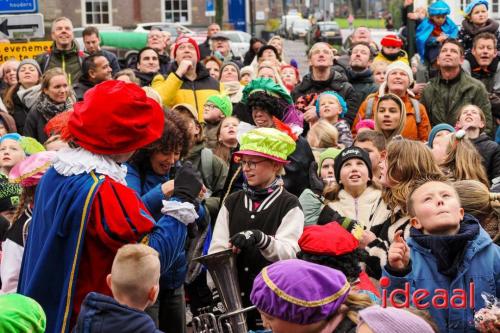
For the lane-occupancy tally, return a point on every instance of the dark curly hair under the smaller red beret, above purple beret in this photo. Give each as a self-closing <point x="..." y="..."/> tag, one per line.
<point x="347" y="263"/>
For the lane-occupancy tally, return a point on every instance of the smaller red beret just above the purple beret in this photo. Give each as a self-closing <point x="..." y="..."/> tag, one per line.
<point x="329" y="239"/>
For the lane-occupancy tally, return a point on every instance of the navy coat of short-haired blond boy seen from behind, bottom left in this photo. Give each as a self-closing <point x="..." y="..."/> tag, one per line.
<point x="102" y="314"/>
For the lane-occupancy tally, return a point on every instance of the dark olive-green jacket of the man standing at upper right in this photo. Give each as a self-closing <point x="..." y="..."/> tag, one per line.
<point x="444" y="98"/>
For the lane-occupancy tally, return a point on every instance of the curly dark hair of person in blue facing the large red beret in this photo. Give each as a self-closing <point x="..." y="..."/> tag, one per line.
<point x="175" y="138"/>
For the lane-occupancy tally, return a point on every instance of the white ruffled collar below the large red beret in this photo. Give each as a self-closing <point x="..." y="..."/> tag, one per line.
<point x="75" y="161"/>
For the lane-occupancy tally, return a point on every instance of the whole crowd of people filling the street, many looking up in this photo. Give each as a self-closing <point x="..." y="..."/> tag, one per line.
<point x="371" y="172"/>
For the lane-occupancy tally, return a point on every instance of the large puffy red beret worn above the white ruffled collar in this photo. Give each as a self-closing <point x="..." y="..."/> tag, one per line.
<point x="115" y="117"/>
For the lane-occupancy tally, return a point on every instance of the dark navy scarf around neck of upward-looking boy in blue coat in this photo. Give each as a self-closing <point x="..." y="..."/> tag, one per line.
<point x="448" y="250"/>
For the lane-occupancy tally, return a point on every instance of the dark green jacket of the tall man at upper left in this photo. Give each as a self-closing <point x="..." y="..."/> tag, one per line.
<point x="69" y="60"/>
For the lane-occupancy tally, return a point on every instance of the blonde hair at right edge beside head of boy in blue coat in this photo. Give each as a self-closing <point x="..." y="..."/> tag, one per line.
<point x="478" y="201"/>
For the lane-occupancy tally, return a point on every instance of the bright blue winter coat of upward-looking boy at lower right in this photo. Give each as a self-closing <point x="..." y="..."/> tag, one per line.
<point x="481" y="265"/>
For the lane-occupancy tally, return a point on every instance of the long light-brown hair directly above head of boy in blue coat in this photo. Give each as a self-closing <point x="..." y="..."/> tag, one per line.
<point x="463" y="161"/>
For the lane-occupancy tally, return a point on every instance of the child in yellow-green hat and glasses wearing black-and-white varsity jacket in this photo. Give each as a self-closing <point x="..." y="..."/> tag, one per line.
<point x="263" y="221"/>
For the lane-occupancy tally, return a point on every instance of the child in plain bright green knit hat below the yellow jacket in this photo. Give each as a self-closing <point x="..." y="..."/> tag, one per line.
<point x="216" y="108"/>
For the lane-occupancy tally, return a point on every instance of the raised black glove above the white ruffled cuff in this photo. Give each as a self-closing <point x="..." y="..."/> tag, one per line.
<point x="187" y="184"/>
